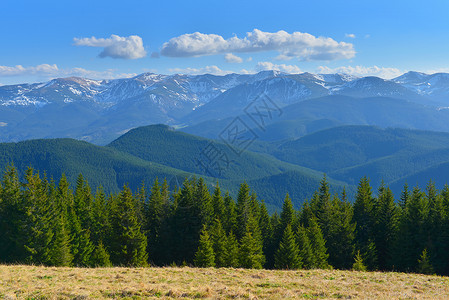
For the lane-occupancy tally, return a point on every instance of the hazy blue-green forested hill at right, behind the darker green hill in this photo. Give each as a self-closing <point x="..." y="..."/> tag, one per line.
<point x="350" y="152"/>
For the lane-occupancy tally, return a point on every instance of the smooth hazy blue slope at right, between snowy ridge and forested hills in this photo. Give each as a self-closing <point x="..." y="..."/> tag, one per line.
<point x="312" y="115"/>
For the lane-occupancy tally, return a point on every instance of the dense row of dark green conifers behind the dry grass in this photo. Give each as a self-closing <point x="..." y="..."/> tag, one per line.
<point x="46" y="222"/>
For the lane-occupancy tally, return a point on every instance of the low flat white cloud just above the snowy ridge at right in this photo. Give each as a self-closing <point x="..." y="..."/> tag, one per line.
<point x="382" y="72"/>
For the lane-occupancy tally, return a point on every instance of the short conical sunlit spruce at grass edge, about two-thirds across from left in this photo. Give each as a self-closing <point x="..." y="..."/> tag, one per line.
<point x="287" y="255"/>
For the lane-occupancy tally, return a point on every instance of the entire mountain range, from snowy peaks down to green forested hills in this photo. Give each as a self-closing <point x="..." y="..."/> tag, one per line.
<point x="279" y="132"/>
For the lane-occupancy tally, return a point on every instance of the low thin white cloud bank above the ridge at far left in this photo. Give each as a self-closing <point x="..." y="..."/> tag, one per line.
<point x="47" y="71"/>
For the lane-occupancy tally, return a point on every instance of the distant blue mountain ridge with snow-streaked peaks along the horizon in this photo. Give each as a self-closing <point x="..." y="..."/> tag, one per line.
<point x="101" y="110"/>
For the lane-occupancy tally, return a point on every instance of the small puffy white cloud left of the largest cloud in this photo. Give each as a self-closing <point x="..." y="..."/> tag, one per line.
<point x="130" y="47"/>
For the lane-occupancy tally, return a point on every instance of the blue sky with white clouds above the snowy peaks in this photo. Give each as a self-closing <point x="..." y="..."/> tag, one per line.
<point x="111" y="39"/>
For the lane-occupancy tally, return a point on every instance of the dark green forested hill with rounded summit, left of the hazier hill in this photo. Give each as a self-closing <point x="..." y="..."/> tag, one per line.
<point x="148" y="152"/>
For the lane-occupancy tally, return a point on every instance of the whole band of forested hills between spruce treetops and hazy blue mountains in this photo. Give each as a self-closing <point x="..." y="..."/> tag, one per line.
<point x="344" y="153"/>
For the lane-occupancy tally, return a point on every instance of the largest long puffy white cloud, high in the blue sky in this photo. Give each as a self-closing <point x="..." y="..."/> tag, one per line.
<point x="299" y="45"/>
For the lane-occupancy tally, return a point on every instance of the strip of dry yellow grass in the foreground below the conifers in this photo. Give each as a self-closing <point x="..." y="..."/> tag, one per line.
<point x="32" y="282"/>
